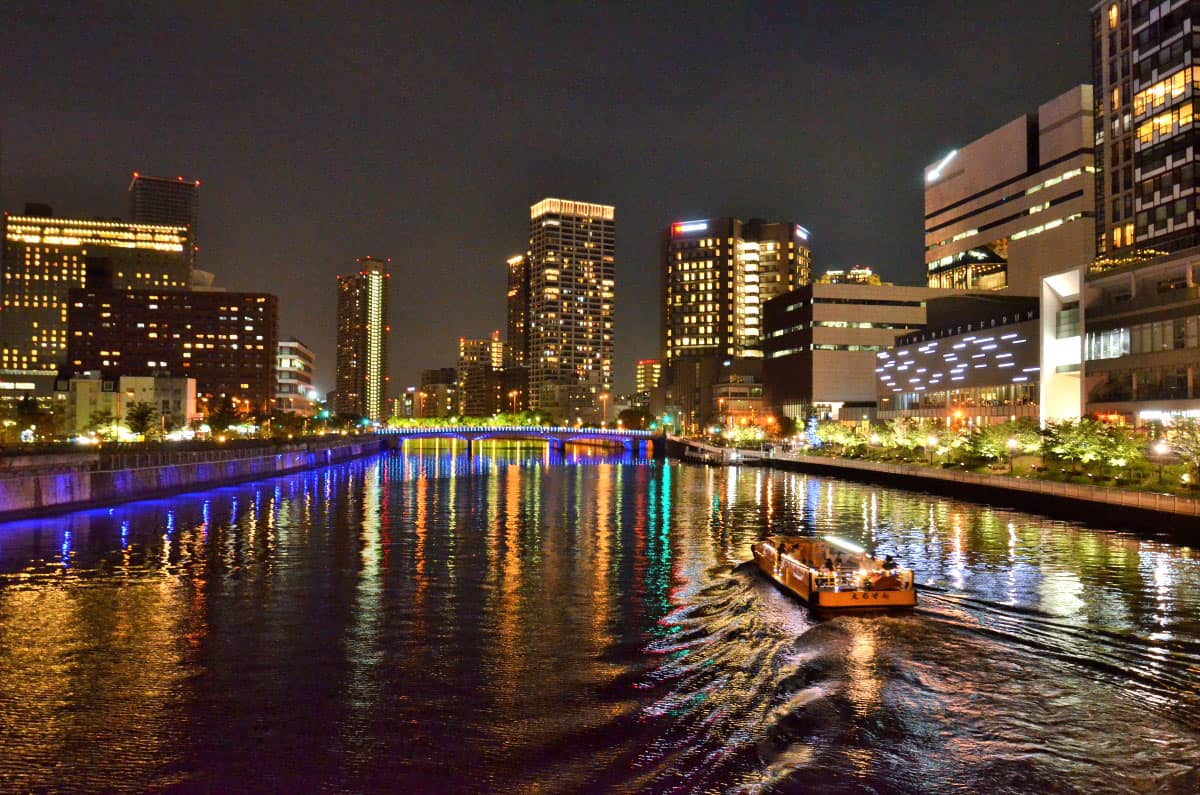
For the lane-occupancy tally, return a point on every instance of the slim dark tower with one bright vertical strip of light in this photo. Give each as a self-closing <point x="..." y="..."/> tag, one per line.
<point x="362" y="340"/>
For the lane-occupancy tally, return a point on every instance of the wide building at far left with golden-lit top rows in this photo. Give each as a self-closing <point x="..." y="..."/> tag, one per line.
<point x="45" y="258"/>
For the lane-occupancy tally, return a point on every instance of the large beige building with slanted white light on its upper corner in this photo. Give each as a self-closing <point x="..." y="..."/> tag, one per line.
<point x="1016" y="205"/>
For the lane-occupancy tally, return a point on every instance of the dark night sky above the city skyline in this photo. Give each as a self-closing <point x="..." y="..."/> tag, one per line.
<point x="423" y="133"/>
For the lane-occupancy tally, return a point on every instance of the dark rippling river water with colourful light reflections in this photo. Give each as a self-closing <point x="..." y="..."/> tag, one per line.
<point x="425" y="623"/>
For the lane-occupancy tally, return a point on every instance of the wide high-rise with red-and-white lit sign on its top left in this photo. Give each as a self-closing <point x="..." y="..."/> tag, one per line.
<point x="717" y="274"/>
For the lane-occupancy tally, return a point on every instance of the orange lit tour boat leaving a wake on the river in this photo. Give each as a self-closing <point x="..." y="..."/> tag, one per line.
<point x="831" y="573"/>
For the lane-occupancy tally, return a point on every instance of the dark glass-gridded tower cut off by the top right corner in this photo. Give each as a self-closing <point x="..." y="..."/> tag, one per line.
<point x="1147" y="141"/>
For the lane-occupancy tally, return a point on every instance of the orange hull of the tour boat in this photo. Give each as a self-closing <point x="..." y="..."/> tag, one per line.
<point x="800" y="579"/>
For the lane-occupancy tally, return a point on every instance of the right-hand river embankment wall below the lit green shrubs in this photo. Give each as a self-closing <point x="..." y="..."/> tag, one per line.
<point x="1095" y="505"/>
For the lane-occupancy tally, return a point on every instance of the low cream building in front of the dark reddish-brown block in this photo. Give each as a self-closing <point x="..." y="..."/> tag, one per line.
<point x="89" y="398"/>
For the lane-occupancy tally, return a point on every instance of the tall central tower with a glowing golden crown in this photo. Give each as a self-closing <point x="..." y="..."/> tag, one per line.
<point x="572" y="279"/>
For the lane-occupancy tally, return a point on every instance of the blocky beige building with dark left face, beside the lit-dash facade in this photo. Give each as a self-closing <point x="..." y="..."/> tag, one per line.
<point x="823" y="340"/>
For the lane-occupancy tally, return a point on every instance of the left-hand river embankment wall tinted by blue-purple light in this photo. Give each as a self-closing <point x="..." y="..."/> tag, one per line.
<point x="46" y="485"/>
